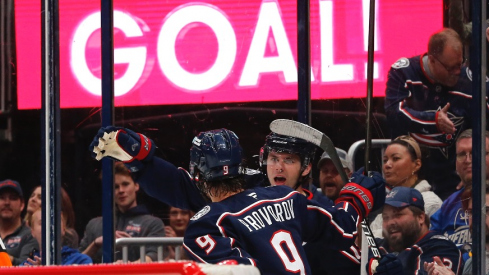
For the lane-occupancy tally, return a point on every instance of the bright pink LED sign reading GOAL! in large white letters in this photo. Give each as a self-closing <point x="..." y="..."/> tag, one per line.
<point x="180" y="52"/>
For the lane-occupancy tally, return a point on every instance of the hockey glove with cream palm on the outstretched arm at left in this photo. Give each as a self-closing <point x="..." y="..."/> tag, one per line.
<point x="123" y="145"/>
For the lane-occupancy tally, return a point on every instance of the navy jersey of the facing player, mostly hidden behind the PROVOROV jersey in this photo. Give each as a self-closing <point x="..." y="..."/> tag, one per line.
<point x="164" y="181"/>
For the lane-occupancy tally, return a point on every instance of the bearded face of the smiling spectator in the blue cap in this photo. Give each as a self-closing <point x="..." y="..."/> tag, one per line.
<point x="400" y="227"/>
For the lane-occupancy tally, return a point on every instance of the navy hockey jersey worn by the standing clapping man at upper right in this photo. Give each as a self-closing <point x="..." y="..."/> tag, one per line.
<point x="411" y="103"/>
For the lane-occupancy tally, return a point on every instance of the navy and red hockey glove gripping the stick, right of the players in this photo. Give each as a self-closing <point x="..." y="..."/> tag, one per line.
<point x="365" y="193"/>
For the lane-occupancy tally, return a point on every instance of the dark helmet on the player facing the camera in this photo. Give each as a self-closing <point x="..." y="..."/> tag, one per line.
<point x="287" y="144"/>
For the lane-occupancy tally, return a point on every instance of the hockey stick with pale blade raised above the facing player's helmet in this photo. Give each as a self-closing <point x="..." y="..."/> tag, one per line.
<point x="299" y="130"/>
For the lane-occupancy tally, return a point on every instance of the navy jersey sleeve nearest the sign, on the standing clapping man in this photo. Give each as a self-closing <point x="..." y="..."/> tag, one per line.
<point x="398" y="95"/>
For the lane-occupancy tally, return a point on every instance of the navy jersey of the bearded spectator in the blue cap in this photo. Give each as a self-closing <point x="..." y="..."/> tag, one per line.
<point x="430" y="245"/>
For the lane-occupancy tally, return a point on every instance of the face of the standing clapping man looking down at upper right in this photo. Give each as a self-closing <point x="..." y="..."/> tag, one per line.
<point x="447" y="66"/>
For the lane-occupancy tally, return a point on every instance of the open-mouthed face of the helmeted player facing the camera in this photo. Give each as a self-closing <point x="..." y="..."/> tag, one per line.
<point x="284" y="169"/>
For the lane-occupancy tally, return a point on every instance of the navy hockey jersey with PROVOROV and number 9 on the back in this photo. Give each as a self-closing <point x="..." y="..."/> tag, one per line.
<point x="265" y="227"/>
